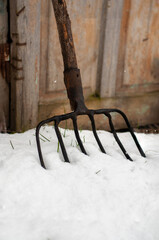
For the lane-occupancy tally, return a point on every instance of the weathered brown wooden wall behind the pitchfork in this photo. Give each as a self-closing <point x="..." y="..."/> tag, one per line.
<point x="117" y="52"/>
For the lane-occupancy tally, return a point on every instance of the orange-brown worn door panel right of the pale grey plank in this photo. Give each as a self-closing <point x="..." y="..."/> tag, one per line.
<point x="138" y="62"/>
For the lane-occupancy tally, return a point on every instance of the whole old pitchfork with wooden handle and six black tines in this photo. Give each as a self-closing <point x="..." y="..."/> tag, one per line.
<point x="72" y="79"/>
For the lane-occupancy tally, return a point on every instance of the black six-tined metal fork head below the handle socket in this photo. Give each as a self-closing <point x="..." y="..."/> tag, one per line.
<point x="90" y="114"/>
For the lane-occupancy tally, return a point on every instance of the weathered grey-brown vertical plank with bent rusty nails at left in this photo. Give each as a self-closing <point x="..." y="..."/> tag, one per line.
<point x="25" y="58"/>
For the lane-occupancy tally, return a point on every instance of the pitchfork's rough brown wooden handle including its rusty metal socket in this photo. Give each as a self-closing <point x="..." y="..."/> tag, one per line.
<point x="72" y="76"/>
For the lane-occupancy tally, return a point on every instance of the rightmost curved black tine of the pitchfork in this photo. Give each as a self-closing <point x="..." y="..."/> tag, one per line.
<point x="130" y="130"/>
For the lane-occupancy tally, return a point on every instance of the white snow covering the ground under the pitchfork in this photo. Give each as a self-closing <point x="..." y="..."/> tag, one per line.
<point x="96" y="196"/>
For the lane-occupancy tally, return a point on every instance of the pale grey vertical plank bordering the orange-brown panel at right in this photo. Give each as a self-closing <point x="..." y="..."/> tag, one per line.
<point x="111" y="48"/>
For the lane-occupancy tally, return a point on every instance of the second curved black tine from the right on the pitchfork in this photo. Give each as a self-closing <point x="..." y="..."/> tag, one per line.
<point x="116" y="137"/>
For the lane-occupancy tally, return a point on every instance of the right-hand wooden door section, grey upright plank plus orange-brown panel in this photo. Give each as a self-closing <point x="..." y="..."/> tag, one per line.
<point x="130" y="70"/>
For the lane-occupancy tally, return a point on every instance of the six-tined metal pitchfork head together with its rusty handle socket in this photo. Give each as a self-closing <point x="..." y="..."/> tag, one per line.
<point x="73" y="84"/>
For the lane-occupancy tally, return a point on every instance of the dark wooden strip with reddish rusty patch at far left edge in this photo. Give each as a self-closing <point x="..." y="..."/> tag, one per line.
<point x="4" y="57"/>
